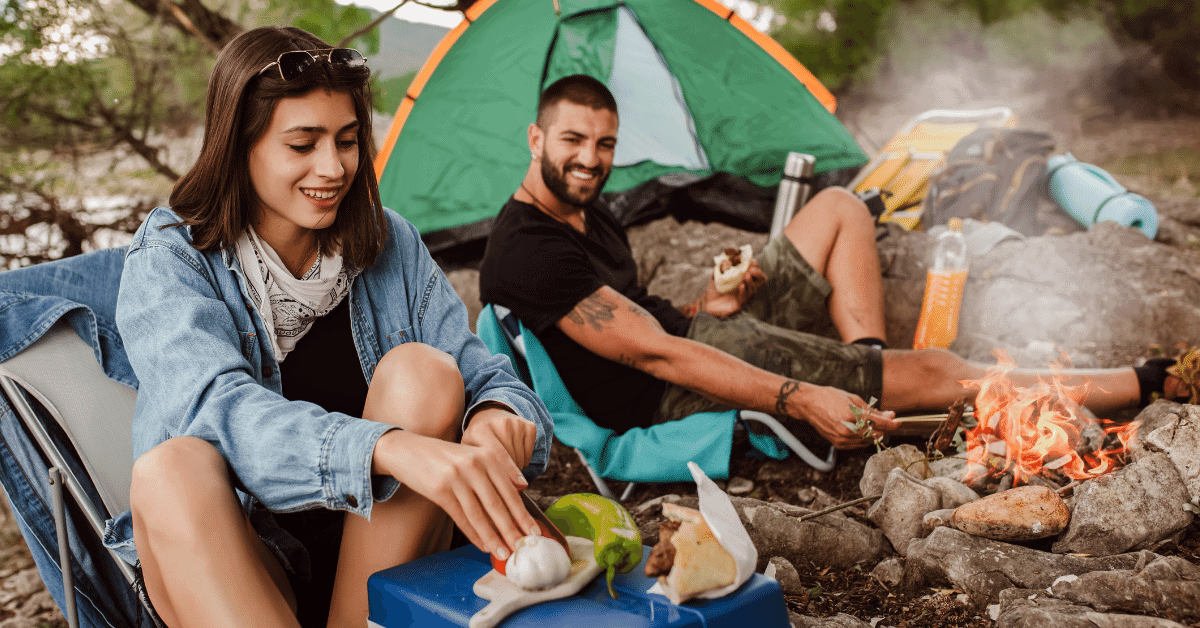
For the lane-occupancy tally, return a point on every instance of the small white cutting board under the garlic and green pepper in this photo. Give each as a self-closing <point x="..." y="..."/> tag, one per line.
<point x="506" y="597"/>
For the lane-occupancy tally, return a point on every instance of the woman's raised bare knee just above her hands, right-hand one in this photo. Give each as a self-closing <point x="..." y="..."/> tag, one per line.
<point x="416" y="381"/>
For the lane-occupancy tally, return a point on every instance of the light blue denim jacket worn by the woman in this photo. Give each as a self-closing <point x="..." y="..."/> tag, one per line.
<point x="205" y="368"/>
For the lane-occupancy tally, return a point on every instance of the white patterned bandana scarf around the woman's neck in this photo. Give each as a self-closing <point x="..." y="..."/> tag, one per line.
<point x="293" y="303"/>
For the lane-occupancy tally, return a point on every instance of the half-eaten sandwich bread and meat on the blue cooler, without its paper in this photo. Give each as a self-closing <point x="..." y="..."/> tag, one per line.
<point x="688" y="560"/>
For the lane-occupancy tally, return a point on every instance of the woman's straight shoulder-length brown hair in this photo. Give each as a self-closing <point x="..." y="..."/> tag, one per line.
<point x="217" y="198"/>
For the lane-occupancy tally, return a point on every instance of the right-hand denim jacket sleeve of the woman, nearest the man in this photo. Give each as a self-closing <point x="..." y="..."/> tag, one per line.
<point x="442" y="322"/>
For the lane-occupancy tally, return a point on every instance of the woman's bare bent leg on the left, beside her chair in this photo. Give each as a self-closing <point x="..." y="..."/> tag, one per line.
<point x="202" y="561"/>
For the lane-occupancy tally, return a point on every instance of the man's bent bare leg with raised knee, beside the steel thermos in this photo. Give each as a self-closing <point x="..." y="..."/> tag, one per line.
<point x="836" y="235"/>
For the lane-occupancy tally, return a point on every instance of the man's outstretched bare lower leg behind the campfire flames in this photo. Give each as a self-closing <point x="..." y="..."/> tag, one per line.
<point x="931" y="380"/>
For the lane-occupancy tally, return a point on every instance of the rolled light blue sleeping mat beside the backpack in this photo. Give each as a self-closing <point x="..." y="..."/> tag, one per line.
<point x="1091" y="195"/>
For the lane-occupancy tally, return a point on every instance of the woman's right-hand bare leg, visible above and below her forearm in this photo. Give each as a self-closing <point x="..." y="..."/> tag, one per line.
<point x="421" y="390"/>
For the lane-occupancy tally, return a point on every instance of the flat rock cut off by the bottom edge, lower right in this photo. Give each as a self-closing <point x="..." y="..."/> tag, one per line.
<point x="1036" y="609"/>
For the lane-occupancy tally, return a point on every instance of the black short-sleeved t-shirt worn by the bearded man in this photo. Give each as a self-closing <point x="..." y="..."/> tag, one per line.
<point x="542" y="270"/>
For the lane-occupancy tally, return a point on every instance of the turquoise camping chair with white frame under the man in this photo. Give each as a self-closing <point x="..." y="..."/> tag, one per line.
<point x="659" y="453"/>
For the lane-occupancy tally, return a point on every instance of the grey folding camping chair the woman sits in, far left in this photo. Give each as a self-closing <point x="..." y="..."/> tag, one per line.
<point x="77" y="422"/>
